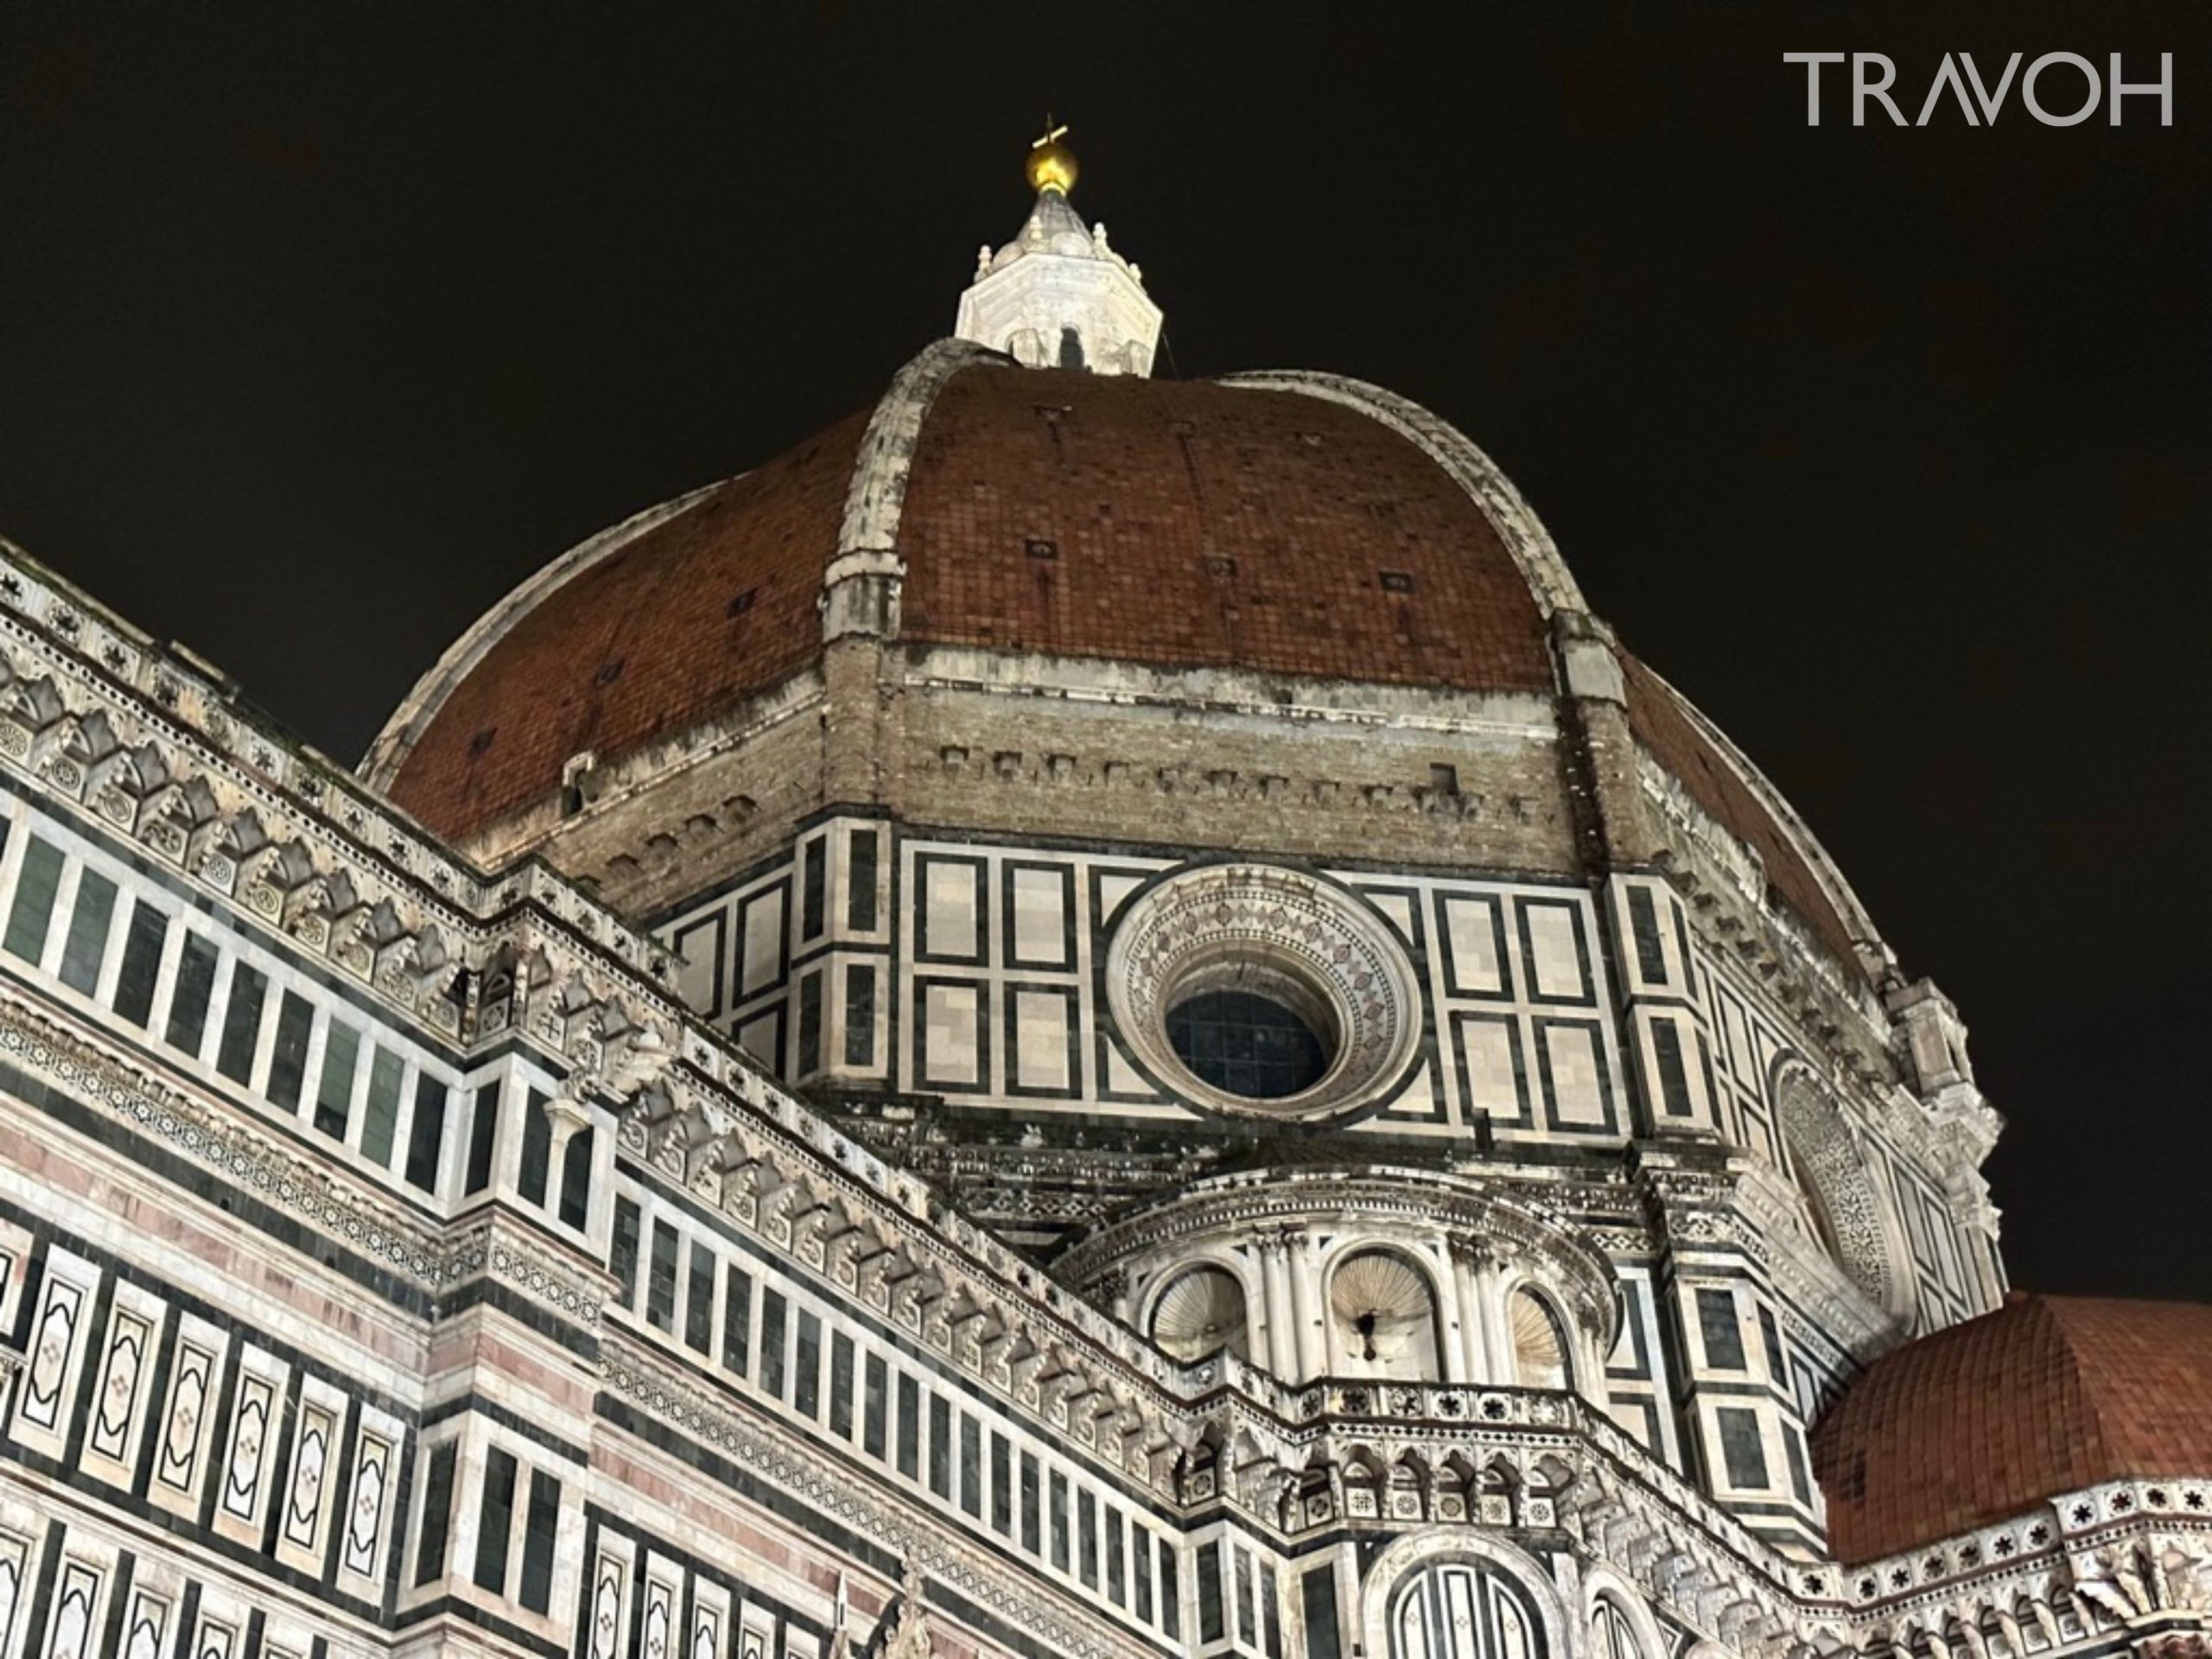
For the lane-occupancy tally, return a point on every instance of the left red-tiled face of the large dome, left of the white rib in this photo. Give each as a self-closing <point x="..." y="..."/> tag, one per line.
<point x="647" y="643"/>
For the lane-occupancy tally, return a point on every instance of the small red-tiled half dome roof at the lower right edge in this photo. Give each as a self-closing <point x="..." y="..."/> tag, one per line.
<point x="1985" y="1421"/>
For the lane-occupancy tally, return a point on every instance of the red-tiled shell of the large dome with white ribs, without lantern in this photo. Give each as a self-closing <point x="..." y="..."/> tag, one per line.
<point x="1280" y="525"/>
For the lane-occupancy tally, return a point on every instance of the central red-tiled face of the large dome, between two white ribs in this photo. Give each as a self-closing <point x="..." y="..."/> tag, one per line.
<point x="1187" y="525"/>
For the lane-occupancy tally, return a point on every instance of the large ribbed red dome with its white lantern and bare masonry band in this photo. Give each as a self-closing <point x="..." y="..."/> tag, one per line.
<point x="1027" y="510"/>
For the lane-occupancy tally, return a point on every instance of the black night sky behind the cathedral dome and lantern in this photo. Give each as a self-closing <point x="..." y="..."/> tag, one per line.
<point x="326" y="324"/>
